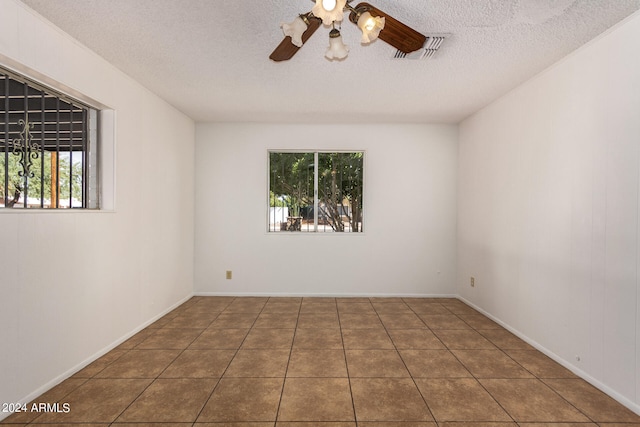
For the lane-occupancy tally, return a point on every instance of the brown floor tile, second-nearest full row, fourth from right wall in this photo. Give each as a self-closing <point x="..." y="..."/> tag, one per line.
<point x="375" y="364"/>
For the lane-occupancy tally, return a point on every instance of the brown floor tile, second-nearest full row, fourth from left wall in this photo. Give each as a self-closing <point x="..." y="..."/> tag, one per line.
<point x="259" y="363"/>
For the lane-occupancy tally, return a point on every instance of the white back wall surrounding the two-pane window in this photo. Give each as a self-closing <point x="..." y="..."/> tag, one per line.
<point x="408" y="247"/>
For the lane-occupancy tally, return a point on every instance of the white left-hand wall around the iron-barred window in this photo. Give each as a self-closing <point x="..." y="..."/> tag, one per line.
<point x="74" y="283"/>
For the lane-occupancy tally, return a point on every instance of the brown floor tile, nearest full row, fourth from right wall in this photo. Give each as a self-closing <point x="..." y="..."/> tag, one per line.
<point x="388" y="399"/>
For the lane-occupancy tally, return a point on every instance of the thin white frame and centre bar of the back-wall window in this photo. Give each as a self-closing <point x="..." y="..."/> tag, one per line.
<point x="271" y="227"/>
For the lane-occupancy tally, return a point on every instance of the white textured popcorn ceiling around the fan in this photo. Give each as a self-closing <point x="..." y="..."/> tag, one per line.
<point x="209" y="58"/>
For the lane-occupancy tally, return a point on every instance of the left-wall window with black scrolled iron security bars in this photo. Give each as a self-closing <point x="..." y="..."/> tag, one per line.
<point x="47" y="148"/>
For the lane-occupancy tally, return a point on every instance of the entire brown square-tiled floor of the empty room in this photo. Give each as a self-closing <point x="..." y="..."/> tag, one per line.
<point x="327" y="362"/>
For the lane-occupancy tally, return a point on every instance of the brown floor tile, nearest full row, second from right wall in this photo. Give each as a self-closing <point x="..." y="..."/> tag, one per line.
<point x="530" y="400"/>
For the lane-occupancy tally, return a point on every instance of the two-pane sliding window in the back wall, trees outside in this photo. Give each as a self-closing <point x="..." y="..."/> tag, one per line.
<point x="315" y="191"/>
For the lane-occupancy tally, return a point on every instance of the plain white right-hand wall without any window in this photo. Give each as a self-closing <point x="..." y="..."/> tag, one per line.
<point x="548" y="210"/>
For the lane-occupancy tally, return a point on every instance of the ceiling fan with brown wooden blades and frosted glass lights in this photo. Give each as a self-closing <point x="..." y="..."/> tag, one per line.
<point x="373" y="22"/>
